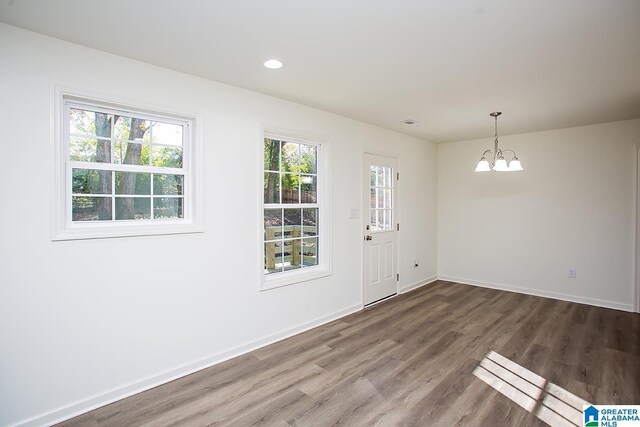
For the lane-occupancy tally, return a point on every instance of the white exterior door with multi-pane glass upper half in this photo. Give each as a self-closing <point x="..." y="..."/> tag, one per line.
<point x="380" y="234"/>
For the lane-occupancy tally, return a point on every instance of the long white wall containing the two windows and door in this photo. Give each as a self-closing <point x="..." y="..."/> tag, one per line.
<point x="83" y="322"/>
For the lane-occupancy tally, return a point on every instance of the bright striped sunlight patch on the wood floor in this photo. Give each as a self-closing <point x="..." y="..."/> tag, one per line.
<point x="552" y="404"/>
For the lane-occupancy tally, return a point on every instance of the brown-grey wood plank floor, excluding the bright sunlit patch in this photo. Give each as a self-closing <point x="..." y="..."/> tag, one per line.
<point x="407" y="361"/>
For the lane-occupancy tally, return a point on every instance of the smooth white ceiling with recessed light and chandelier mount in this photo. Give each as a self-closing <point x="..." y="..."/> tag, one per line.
<point x="445" y="64"/>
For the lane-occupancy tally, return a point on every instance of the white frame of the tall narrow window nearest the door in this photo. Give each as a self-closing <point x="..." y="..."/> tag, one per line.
<point x="323" y="167"/>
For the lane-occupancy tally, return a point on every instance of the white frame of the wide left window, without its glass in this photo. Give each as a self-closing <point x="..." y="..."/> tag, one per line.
<point x="63" y="228"/>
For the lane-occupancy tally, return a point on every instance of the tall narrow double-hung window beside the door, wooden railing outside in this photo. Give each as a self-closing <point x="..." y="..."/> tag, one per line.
<point x="293" y="209"/>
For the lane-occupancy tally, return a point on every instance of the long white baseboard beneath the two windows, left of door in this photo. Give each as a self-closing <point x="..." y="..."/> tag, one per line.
<point x="101" y="399"/>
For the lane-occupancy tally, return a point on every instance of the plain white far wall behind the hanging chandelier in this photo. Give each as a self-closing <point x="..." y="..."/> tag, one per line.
<point x="573" y="206"/>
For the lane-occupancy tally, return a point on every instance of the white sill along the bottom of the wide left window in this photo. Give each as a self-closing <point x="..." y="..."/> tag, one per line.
<point x="101" y="231"/>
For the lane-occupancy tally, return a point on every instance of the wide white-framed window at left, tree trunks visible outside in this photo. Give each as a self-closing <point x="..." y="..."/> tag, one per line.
<point x="126" y="172"/>
